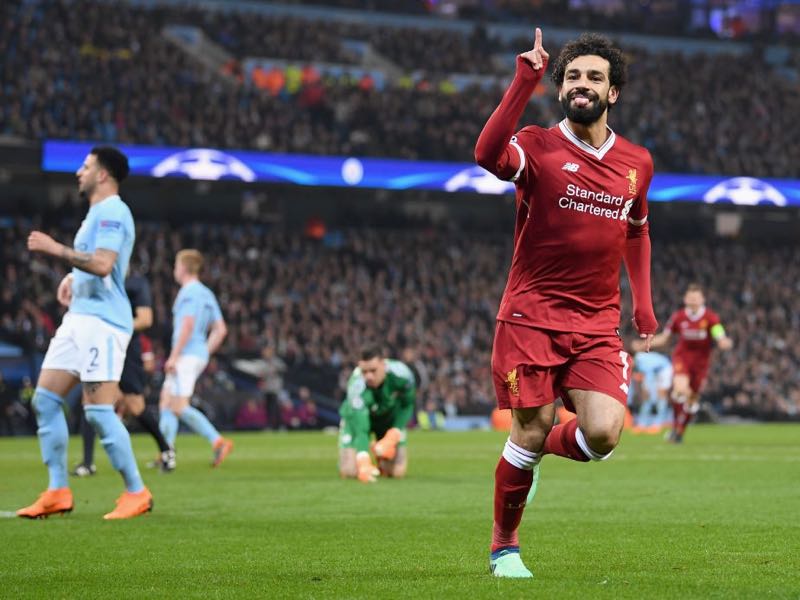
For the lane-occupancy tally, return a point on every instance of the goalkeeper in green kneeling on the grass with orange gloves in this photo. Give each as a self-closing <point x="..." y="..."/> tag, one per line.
<point x="380" y="400"/>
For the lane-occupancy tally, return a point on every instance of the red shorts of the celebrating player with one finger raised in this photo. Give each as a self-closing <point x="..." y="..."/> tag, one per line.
<point x="532" y="367"/>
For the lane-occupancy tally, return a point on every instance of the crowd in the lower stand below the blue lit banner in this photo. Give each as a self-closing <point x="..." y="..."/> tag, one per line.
<point x="429" y="296"/>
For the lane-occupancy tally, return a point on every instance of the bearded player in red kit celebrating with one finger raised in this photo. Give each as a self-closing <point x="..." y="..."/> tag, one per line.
<point x="581" y="210"/>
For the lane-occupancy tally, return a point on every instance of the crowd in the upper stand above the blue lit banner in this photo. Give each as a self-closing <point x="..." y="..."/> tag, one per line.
<point x="91" y="71"/>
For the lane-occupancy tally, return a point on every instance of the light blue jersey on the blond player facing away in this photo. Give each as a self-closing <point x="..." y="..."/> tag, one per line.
<point x="195" y="300"/>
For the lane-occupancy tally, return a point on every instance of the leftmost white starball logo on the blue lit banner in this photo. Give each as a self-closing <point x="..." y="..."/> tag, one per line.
<point x="203" y="163"/>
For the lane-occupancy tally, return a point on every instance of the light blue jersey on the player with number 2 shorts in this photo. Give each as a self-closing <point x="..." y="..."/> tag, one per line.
<point x="108" y="225"/>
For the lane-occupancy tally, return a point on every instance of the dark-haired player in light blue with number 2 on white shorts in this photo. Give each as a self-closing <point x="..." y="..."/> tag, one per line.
<point x="89" y="345"/>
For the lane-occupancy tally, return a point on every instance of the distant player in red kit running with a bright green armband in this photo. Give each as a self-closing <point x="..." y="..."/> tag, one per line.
<point x="697" y="329"/>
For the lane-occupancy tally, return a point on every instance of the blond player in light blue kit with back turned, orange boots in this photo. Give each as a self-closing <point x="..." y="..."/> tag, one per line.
<point x="198" y="329"/>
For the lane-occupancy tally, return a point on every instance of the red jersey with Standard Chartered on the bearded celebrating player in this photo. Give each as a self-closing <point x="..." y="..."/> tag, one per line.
<point x="575" y="204"/>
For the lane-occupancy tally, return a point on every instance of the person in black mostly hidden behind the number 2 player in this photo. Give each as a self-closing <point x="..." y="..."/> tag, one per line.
<point x="132" y="381"/>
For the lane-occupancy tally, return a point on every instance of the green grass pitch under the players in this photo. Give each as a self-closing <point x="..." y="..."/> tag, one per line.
<point x="718" y="517"/>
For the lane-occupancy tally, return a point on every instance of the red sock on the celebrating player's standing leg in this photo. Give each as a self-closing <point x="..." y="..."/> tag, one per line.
<point x="511" y="486"/>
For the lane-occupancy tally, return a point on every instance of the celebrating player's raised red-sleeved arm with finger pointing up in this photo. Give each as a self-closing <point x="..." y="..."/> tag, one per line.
<point x="492" y="151"/>
